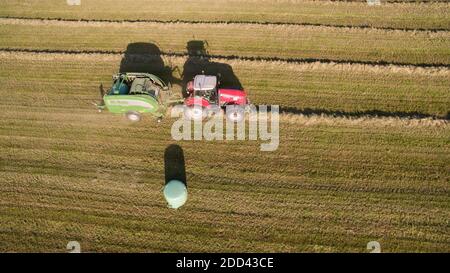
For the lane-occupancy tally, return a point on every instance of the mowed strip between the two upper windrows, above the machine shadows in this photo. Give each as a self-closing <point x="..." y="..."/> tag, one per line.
<point x="307" y="42"/>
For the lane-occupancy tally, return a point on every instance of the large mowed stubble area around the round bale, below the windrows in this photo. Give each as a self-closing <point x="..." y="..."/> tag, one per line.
<point x="70" y="173"/>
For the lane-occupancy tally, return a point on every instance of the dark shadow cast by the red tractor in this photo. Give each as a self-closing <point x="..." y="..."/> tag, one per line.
<point x="199" y="62"/>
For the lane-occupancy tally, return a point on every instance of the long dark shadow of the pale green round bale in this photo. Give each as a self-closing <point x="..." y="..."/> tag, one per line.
<point x="174" y="164"/>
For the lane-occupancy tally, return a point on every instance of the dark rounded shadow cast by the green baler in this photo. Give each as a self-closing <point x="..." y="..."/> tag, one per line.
<point x="145" y="57"/>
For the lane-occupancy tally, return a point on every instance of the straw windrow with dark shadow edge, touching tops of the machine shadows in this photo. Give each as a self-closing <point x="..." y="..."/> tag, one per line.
<point x="231" y="57"/>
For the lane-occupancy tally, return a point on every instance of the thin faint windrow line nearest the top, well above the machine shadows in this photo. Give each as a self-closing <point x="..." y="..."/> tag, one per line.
<point x="217" y="22"/>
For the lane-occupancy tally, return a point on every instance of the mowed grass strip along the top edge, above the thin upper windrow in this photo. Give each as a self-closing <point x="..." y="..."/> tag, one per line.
<point x="409" y="15"/>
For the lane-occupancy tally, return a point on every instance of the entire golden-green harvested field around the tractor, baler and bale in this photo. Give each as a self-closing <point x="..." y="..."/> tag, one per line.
<point x="364" y="147"/>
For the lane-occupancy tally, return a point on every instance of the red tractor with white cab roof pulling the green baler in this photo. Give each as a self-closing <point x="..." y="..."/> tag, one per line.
<point x="205" y="96"/>
